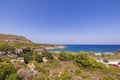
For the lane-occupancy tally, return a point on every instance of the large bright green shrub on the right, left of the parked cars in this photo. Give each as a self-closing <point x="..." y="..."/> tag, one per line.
<point x="83" y="60"/>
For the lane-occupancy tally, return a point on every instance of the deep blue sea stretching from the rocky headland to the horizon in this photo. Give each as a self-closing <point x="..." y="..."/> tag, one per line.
<point x="94" y="48"/>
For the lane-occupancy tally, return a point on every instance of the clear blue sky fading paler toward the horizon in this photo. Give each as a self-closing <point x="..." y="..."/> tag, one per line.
<point x="62" y="21"/>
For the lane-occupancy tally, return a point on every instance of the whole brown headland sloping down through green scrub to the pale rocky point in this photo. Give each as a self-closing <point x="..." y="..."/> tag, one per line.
<point x="22" y="42"/>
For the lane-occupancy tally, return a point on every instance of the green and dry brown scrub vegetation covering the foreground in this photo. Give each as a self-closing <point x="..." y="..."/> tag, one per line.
<point x="59" y="66"/>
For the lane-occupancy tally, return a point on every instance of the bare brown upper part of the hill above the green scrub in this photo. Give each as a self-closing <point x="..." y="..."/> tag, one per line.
<point x="12" y="39"/>
